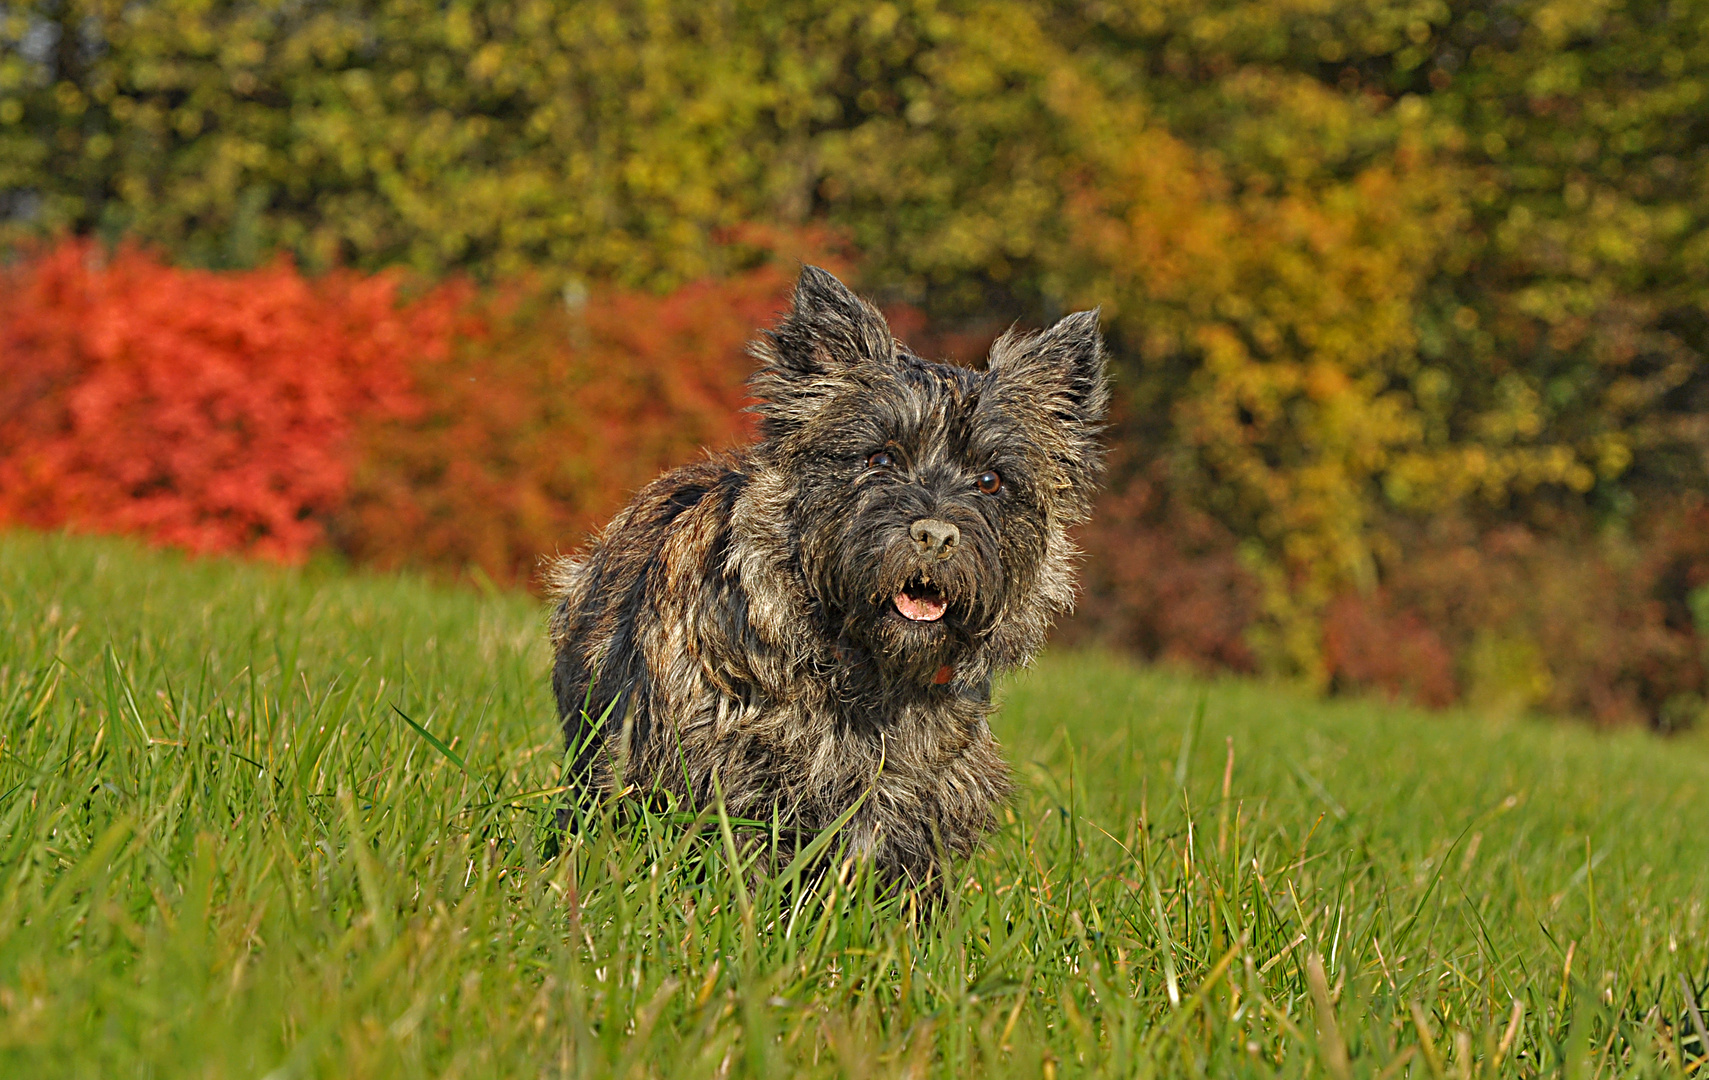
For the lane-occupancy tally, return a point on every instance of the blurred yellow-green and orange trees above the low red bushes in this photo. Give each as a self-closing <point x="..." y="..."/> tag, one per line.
<point x="1363" y="261"/>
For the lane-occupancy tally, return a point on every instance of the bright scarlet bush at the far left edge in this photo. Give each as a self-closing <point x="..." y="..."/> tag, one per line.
<point x="206" y="411"/>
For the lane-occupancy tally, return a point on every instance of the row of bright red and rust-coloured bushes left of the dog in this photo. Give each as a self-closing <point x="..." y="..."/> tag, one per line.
<point x="266" y="413"/>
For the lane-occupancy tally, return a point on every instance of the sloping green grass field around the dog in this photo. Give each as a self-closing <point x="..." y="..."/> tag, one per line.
<point x="226" y="854"/>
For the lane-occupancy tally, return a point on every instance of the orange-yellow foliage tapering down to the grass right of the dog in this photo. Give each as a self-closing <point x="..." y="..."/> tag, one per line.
<point x="1274" y="329"/>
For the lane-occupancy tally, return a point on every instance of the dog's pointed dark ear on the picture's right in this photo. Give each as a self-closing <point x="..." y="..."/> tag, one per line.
<point x="1060" y="368"/>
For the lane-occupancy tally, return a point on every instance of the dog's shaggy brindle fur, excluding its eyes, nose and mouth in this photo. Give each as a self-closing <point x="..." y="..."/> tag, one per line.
<point x="737" y="618"/>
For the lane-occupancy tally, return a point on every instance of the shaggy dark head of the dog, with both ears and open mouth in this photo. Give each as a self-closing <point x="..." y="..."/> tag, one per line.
<point x="931" y="502"/>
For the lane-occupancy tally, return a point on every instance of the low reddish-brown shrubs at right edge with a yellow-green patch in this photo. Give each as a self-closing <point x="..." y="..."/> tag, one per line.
<point x="1522" y="619"/>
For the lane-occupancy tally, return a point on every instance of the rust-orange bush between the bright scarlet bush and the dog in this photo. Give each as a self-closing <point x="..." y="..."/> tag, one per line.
<point x="543" y="425"/>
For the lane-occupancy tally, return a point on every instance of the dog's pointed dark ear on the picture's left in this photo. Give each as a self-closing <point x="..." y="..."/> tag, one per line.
<point x="828" y="337"/>
